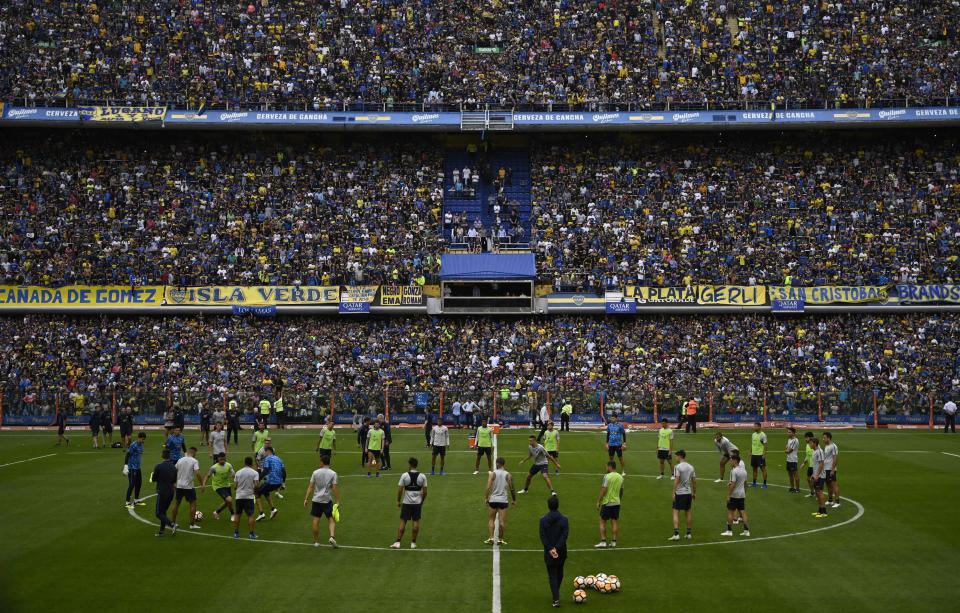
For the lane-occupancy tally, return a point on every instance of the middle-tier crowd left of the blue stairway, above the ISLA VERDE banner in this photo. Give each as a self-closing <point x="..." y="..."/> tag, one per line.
<point x="242" y="210"/>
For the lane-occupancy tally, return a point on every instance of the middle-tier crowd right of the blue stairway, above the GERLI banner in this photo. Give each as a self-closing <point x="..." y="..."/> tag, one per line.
<point x="809" y="210"/>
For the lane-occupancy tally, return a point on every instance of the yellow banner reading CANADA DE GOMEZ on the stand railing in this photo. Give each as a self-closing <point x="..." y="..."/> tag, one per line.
<point x="20" y="296"/>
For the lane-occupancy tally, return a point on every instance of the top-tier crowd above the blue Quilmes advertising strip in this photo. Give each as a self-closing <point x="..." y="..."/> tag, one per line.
<point x="316" y="55"/>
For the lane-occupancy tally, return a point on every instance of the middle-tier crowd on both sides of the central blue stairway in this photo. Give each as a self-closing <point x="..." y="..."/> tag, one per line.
<point x="249" y="210"/>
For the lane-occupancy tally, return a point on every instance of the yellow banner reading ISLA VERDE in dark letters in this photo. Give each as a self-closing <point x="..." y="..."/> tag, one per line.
<point x="256" y="295"/>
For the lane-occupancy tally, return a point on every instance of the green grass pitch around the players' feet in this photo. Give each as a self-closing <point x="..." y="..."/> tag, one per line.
<point x="68" y="543"/>
